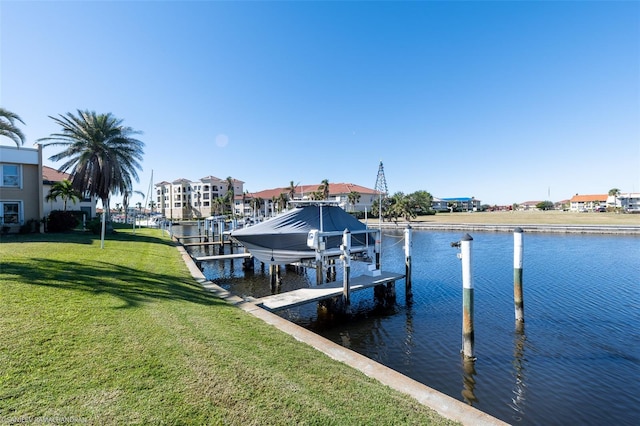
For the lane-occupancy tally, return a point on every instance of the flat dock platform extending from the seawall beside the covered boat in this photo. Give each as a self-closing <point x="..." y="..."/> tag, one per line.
<point x="324" y="291"/>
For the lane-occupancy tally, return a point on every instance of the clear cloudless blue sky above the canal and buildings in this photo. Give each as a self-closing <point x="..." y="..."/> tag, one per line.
<point x="505" y="101"/>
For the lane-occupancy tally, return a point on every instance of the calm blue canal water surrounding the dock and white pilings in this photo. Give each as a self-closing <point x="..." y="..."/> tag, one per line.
<point x="577" y="361"/>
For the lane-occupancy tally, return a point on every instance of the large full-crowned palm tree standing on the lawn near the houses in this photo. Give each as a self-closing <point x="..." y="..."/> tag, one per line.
<point x="102" y="154"/>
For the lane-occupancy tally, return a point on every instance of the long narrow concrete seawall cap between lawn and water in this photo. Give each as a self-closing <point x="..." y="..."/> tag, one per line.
<point x="446" y="406"/>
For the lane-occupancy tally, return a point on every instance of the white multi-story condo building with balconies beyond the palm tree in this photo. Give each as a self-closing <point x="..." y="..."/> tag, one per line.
<point x="184" y="199"/>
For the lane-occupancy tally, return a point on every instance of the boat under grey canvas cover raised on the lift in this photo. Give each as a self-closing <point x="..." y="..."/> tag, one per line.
<point x="283" y="239"/>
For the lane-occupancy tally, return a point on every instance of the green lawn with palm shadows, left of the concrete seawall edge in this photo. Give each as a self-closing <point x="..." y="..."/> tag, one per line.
<point x="123" y="335"/>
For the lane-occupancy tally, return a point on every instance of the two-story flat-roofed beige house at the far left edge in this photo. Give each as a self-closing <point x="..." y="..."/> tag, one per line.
<point x="21" y="196"/>
